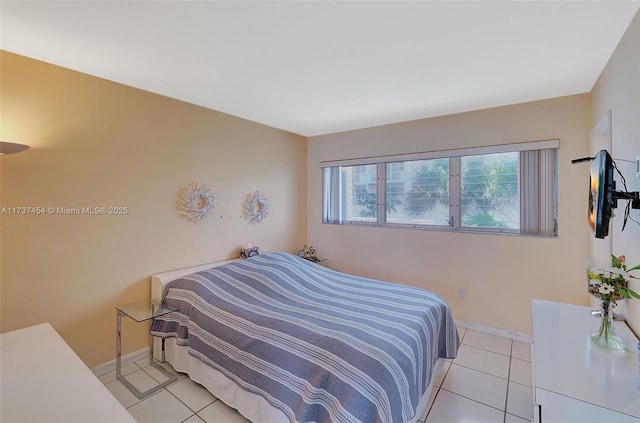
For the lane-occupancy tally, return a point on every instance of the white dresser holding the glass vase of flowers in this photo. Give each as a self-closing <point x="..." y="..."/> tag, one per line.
<point x="575" y="380"/>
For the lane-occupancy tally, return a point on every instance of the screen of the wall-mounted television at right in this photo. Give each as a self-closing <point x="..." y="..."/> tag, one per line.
<point x="600" y="194"/>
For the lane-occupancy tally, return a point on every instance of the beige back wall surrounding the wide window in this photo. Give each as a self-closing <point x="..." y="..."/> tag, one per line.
<point x="501" y="274"/>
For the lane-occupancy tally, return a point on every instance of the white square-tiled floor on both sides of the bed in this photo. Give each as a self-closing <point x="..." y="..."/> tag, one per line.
<point x="489" y="381"/>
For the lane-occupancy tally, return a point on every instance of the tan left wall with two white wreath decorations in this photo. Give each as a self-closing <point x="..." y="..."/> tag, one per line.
<point x="97" y="143"/>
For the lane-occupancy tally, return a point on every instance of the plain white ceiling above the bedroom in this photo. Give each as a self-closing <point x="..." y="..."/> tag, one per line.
<point x="317" y="67"/>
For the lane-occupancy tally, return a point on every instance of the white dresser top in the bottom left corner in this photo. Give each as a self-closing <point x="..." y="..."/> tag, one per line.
<point x="43" y="380"/>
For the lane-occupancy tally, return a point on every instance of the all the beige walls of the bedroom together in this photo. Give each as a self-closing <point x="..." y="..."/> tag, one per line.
<point x="97" y="143"/>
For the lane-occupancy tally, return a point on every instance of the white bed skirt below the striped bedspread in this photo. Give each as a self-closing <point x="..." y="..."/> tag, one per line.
<point x="252" y="406"/>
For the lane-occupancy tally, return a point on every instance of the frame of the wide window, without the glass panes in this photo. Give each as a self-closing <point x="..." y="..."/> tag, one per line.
<point x="455" y="213"/>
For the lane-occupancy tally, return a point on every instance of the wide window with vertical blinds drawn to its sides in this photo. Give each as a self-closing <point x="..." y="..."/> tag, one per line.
<point x="503" y="189"/>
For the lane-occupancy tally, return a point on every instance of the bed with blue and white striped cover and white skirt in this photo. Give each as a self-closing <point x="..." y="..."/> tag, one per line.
<point x="282" y="339"/>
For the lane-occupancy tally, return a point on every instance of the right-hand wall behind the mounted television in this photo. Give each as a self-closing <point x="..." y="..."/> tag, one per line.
<point x="618" y="90"/>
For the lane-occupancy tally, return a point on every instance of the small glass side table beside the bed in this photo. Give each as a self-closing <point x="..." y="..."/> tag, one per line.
<point x="142" y="311"/>
